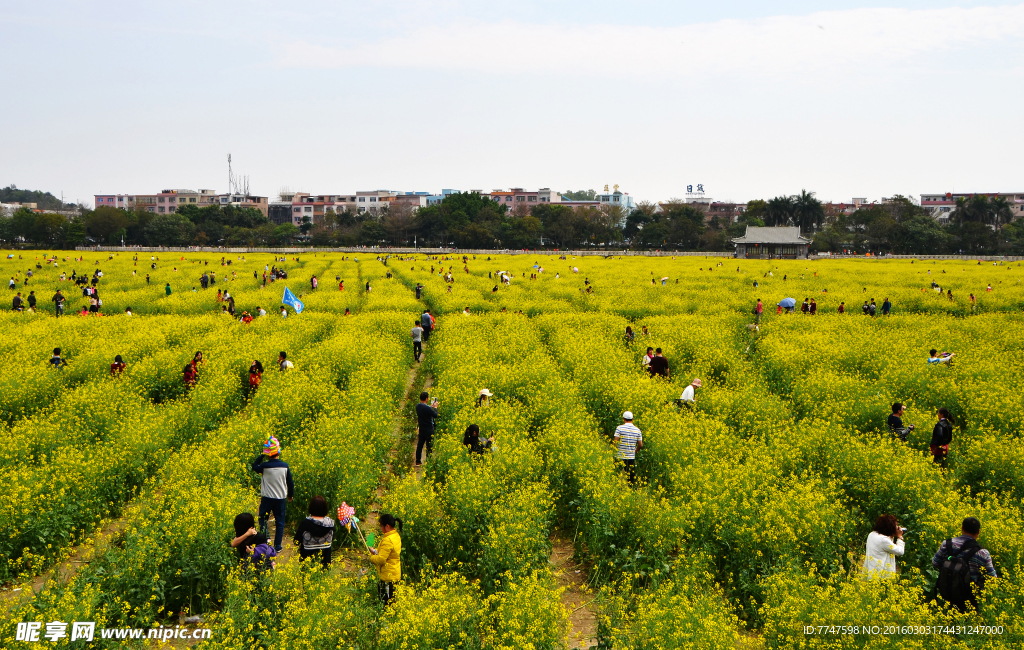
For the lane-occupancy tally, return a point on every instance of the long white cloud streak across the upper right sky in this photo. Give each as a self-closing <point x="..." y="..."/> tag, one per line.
<point x="780" y="46"/>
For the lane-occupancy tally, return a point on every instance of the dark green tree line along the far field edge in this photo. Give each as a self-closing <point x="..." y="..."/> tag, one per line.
<point x="975" y="226"/>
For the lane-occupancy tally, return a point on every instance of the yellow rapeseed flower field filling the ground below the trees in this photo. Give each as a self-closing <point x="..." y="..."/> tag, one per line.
<point x="746" y="528"/>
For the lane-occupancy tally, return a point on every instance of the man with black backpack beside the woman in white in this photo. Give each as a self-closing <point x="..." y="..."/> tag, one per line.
<point x="963" y="566"/>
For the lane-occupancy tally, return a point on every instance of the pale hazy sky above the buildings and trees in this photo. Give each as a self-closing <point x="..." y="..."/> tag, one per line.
<point x="750" y="100"/>
